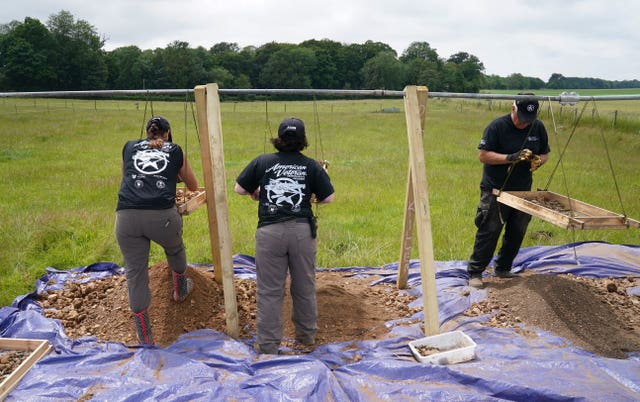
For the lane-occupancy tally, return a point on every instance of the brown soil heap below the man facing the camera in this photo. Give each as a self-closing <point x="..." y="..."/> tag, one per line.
<point x="594" y="314"/>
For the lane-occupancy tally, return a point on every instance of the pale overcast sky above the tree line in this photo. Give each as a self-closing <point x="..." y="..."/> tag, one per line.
<point x="576" y="38"/>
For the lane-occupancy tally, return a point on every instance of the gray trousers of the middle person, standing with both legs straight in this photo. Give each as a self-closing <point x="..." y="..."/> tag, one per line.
<point x="281" y="249"/>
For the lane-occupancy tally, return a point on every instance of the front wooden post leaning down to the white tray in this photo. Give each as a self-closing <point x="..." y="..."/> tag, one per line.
<point x="414" y="112"/>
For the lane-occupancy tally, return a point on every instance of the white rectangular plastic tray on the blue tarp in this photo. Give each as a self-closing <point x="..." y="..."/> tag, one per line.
<point x="453" y="347"/>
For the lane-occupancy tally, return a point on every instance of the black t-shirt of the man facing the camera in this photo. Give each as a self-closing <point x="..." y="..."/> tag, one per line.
<point x="502" y="136"/>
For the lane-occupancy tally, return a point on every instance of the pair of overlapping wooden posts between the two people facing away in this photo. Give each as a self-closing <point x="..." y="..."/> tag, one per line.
<point x="212" y="152"/>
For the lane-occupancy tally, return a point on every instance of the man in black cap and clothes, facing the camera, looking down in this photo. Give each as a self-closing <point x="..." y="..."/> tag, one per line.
<point x="512" y="147"/>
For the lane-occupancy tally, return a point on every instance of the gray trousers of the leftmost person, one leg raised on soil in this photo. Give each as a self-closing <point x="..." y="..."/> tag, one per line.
<point x="135" y="230"/>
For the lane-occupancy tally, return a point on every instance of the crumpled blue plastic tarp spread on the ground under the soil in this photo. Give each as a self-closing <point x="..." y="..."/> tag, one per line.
<point x="208" y="365"/>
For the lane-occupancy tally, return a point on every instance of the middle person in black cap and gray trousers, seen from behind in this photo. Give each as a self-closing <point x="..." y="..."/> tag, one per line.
<point x="283" y="183"/>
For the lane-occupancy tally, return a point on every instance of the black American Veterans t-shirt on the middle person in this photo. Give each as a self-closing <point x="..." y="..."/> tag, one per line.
<point x="286" y="181"/>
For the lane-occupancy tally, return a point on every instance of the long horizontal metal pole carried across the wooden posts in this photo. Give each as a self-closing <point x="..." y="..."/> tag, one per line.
<point x="564" y="97"/>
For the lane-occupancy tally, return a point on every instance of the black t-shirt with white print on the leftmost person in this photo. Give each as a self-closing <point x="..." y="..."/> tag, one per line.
<point x="149" y="175"/>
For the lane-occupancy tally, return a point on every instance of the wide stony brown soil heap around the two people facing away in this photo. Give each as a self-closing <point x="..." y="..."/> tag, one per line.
<point x="348" y="308"/>
